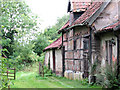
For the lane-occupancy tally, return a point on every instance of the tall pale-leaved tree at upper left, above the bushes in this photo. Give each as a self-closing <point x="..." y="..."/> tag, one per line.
<point x="16" y="20"/>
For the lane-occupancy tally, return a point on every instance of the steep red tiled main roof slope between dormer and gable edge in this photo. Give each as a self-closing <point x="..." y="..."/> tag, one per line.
<point x="89" y="12"/>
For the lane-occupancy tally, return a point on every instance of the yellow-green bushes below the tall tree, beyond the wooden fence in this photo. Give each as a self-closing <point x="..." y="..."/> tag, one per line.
<point x="23" y="56"/>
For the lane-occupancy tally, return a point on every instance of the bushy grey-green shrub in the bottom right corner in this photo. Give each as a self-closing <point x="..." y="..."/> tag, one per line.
<point x="108" y="77"/>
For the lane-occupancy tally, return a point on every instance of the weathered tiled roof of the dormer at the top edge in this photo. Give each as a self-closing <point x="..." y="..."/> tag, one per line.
<point x="80" y="5"/>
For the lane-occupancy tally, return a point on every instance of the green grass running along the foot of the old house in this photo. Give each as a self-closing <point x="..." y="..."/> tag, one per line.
<point x="29" y="78"/>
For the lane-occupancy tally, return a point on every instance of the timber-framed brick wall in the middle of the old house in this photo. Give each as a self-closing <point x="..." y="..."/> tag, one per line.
<point x="74" y="56"/>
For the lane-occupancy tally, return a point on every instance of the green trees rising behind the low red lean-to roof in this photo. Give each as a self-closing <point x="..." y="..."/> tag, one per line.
<point x="50" y="34"/>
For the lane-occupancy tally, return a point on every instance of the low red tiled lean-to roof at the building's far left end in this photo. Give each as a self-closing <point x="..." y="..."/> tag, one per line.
<point x="55" y="44"/>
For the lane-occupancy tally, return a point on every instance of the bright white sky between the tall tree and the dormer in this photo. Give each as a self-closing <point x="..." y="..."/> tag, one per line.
<point x="48" y="10"/>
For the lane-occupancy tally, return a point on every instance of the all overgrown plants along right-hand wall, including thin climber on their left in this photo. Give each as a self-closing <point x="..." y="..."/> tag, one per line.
<point x="106" y="76"/>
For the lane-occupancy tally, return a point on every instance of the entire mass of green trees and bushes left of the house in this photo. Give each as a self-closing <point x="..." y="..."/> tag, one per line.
<point x="22" y="44"/>
